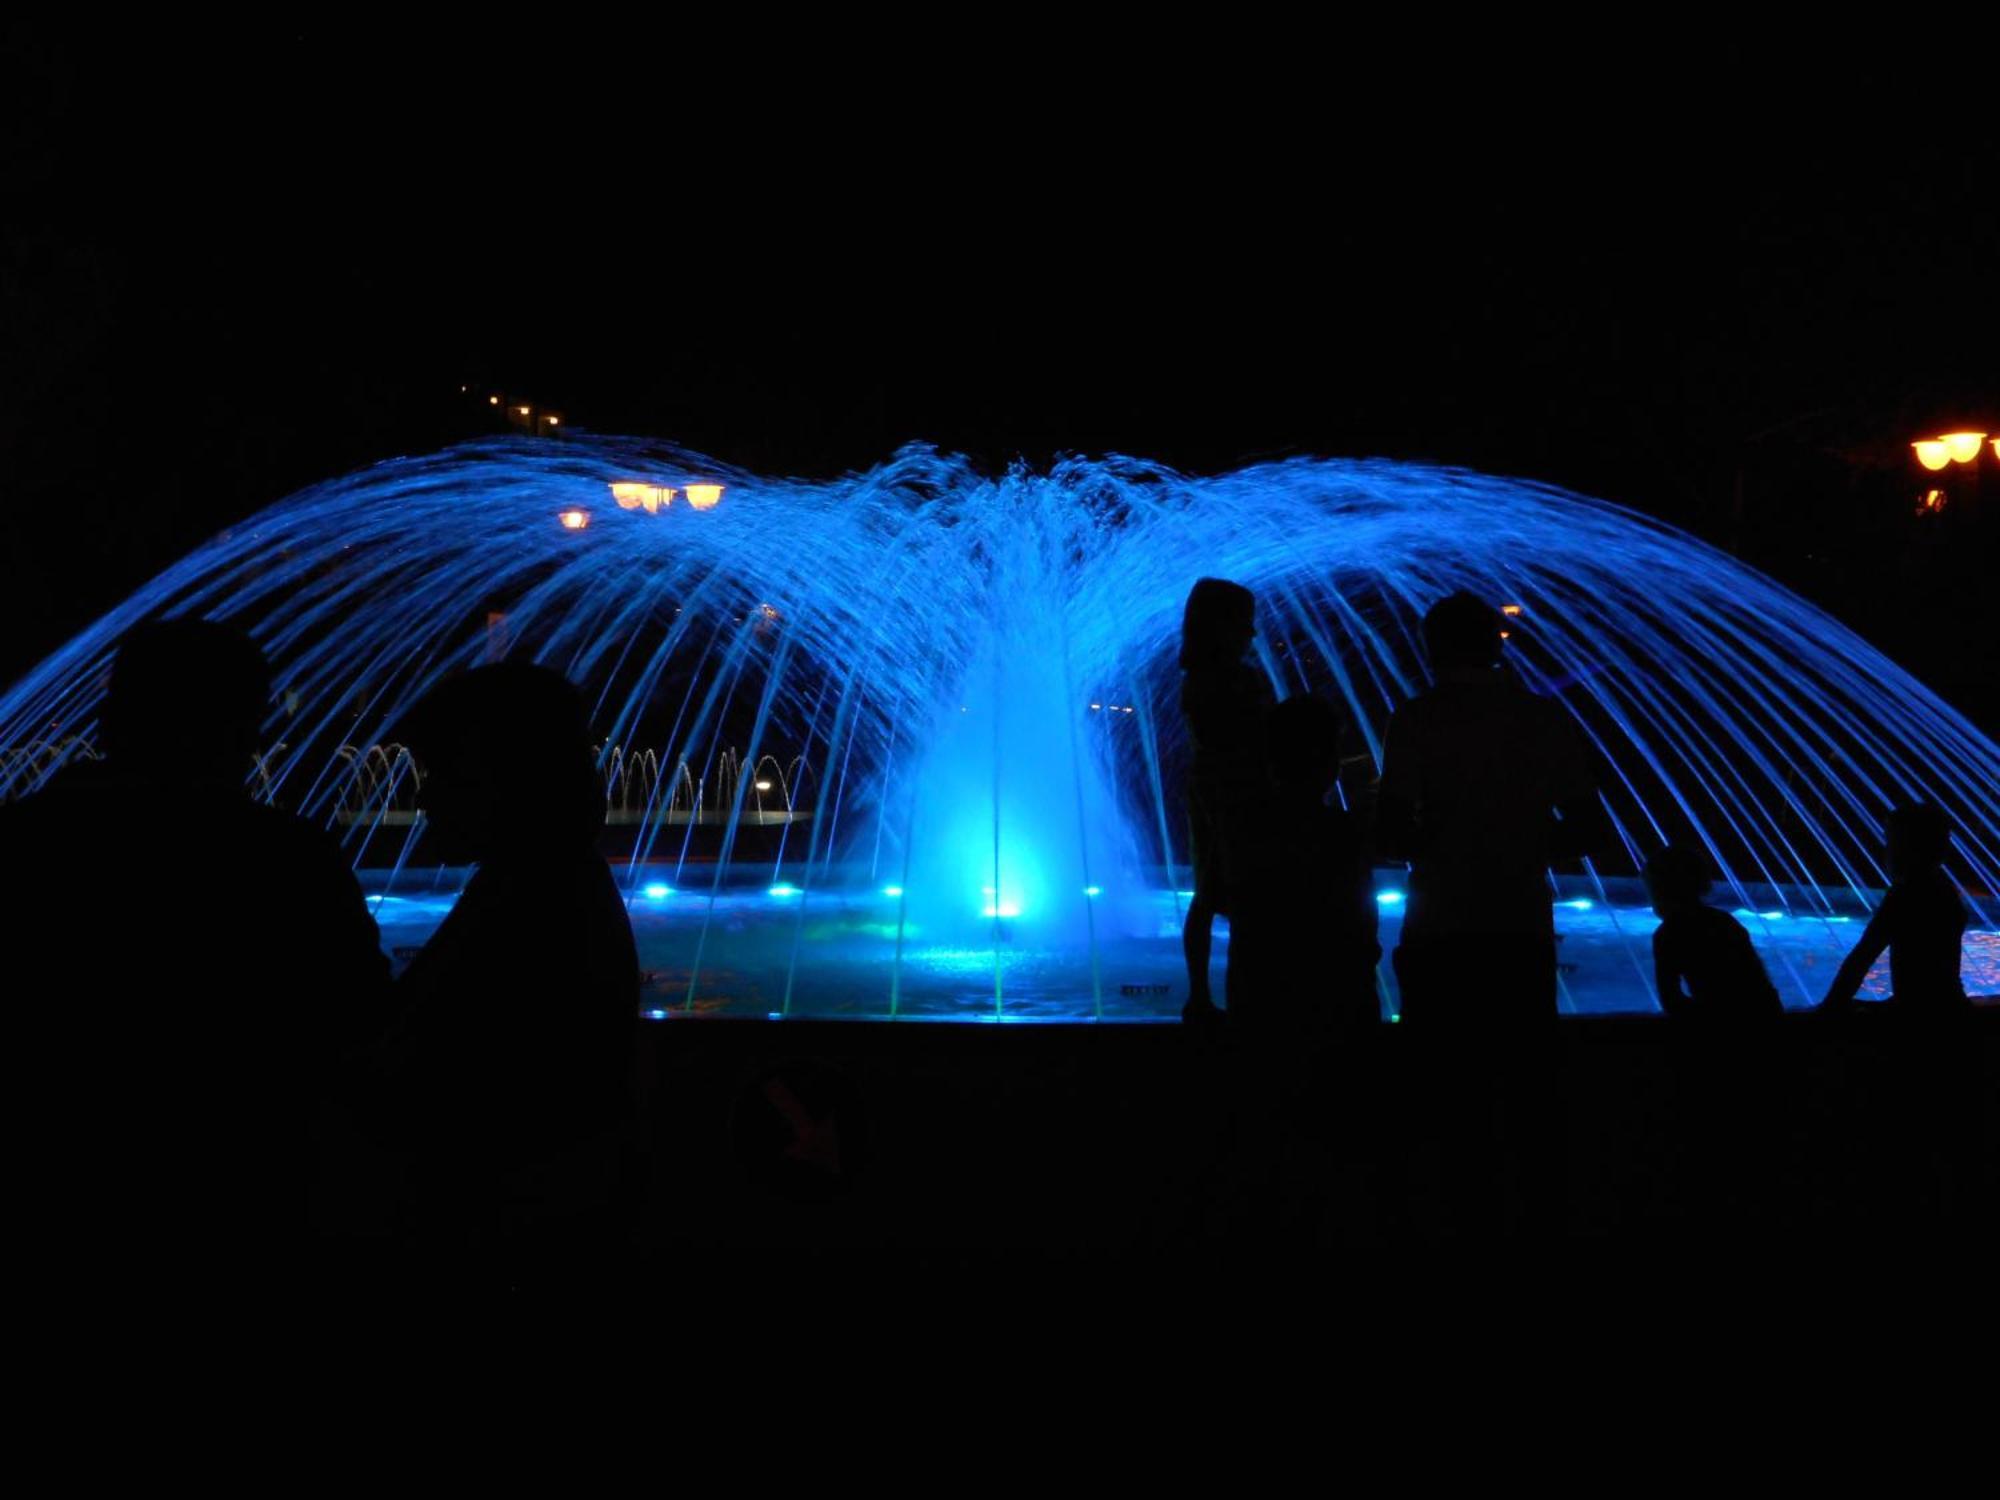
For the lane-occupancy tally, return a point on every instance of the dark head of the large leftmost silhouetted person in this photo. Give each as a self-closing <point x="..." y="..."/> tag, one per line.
<point x="187" y="703"/>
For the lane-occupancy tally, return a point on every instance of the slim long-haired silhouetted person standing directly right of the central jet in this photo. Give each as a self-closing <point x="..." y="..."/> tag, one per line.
<point x="1227" y="703"/>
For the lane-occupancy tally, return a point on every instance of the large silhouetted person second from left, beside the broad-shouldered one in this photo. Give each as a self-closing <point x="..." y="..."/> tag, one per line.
<point x="509" y="1077"/>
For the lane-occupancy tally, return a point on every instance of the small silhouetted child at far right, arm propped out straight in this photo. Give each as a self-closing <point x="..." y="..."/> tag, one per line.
<point x="1921" y="921"/>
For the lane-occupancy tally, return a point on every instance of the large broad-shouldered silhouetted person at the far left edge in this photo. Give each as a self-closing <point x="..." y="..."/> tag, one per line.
<point x="187" y="967"/>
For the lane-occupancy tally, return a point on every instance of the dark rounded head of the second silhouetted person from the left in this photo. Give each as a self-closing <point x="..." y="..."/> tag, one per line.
<point x="507" y="763"/>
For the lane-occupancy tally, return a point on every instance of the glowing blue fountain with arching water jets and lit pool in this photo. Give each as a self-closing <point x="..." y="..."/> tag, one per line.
<point x="907" y="743"/>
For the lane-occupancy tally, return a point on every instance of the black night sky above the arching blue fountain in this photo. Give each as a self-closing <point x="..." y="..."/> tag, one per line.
<point x="273" y="261"/>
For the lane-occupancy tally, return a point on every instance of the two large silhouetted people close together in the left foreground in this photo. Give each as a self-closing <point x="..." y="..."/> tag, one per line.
<point x="241" y="1065"/>
